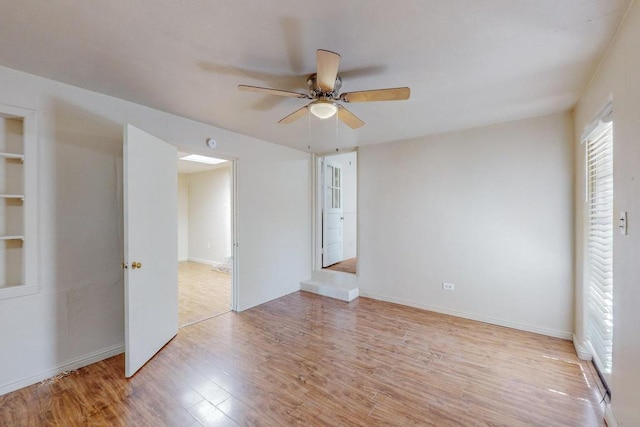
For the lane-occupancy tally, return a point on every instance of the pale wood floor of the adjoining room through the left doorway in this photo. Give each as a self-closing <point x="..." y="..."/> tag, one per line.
<point x="202" y="292"/>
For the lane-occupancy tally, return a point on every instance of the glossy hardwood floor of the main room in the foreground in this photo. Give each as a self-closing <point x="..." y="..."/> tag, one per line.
<point x="310" y="360"/>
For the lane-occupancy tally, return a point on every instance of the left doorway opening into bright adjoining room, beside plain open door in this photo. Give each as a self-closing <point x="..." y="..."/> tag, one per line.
<point x="205" y="261"/>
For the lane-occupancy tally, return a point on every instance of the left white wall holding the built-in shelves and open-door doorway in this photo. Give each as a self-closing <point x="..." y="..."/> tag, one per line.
<point x="77" y="316"/>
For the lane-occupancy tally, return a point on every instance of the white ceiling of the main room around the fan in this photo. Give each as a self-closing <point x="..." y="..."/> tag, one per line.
<point x="468" y="62"/>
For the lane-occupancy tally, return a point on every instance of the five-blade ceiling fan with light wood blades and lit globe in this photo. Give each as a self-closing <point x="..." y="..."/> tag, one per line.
<point x="323" y="90"/>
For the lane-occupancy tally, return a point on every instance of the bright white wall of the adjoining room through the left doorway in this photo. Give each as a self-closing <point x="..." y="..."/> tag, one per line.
<point x="210" y="216"/>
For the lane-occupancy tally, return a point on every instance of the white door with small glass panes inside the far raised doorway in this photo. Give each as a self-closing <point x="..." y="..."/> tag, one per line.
<point x="332" y="214"/>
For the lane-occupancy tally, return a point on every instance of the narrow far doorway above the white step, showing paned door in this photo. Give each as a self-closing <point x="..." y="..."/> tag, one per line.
<point x="337" y="186"/>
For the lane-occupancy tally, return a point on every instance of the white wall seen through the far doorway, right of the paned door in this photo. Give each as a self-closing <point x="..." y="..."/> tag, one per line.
<point x="349" y="162"/>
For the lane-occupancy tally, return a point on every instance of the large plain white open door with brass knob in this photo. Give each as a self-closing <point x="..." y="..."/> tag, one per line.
<point x="150" y="246"/>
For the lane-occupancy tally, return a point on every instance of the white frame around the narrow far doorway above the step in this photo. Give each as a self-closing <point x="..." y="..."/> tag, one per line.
<point x="317" y="204"/>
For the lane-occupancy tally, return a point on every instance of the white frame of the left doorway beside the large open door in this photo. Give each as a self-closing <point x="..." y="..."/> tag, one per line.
<point x="233" y="199"/>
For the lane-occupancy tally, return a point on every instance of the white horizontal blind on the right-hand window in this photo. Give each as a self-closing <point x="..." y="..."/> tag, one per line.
<point x="599" y="303"/>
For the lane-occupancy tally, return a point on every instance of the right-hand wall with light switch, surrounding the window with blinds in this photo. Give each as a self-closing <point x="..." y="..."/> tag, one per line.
<point x="619" y="79"/>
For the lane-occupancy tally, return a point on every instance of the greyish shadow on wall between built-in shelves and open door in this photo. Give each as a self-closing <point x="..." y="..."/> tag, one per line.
<point x="81" y="228"/>
